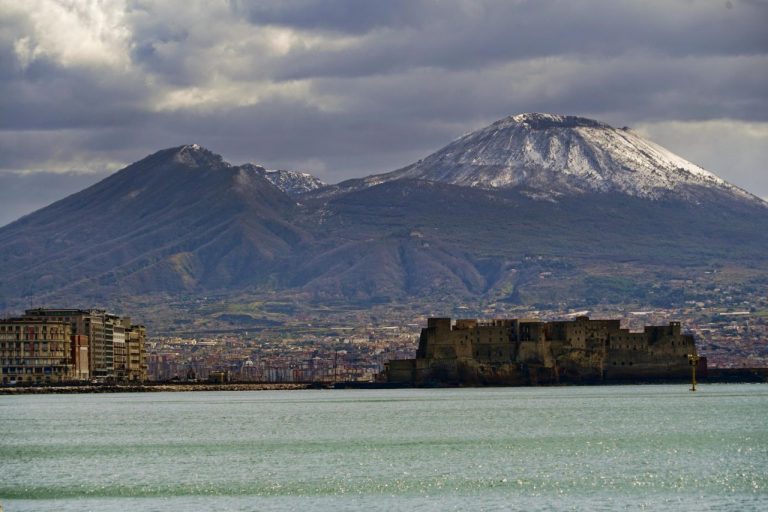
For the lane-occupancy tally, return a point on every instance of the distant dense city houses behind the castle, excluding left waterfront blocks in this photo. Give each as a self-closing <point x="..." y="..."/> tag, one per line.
<point x="727" y="339"/>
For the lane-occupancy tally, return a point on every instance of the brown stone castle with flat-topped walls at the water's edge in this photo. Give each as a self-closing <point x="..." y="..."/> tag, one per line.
<point x="532" y="352"/>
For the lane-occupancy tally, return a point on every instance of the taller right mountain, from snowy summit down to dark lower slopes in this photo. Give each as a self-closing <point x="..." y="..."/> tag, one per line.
<point x="531" y="195"/>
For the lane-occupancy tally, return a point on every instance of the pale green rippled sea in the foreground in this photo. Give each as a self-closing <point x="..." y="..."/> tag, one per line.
<point x="653" y="447"/>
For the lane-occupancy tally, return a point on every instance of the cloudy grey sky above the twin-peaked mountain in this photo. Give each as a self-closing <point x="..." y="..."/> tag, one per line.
<point x="348" y="88"/>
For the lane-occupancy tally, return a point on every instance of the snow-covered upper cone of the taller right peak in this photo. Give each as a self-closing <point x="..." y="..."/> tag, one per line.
<point x="548" y="156"/>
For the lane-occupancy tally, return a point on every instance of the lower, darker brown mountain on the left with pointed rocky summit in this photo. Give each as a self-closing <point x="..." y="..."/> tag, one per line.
<point x="181" y="218"/>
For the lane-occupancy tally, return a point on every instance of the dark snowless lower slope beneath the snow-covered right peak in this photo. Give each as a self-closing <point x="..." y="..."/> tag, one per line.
<point x="498" y="238"/>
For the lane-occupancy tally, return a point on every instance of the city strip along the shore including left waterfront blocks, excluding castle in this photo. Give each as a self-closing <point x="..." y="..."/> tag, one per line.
<point x="325" y="346"/>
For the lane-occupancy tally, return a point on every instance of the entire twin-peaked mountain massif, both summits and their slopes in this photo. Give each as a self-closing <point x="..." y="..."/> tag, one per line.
<point x="532" y="209"/>
